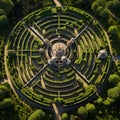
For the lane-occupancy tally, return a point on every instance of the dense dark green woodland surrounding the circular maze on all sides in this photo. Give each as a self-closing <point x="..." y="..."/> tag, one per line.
<point x="107" y="105"/>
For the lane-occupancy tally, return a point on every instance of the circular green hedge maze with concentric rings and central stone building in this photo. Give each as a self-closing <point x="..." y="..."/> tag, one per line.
<point x="57" y="55"/>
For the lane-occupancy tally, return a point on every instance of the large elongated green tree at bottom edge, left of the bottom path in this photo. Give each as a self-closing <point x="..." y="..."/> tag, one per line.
<point x="37" y="115"/>
